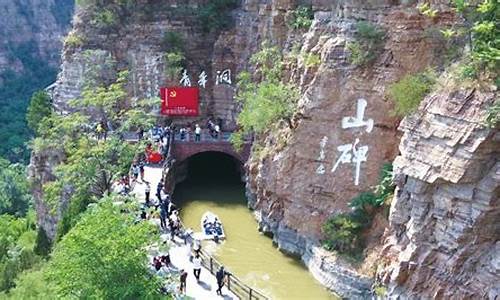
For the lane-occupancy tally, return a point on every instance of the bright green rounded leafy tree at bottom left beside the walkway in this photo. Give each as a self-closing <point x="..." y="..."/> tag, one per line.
<point x="104" y="257"/>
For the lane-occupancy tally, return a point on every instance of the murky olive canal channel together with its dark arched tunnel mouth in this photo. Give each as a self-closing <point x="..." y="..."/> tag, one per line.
<point x="214" y="184"/>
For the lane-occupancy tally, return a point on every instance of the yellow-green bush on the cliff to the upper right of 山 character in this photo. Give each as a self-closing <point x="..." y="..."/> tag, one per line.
<point x="409" y="91"/>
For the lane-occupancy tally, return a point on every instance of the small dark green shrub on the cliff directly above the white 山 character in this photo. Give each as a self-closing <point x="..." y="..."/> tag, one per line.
<point x="368" y="44"/>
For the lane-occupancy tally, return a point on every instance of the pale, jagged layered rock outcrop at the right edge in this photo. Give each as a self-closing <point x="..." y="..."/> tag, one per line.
<point x="444" y="235"/>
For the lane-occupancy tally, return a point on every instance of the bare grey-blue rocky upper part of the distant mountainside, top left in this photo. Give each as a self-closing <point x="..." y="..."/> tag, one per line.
<point x="32" y="27"/>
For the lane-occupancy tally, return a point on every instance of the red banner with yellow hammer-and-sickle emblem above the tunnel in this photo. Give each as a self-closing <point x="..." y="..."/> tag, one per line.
<point x="180" y="101"/>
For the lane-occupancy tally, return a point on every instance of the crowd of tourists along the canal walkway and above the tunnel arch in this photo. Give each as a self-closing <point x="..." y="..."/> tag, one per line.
<point x="160" y="206"/>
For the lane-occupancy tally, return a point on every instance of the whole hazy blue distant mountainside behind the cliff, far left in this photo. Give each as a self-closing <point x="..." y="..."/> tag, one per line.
<point x="31" y="33"/>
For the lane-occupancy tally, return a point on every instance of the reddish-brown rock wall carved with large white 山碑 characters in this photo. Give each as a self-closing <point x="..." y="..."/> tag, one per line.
<point x="296" y="187"/>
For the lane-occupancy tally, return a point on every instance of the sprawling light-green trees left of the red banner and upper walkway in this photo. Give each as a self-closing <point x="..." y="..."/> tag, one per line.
<point x="91" y="165"/>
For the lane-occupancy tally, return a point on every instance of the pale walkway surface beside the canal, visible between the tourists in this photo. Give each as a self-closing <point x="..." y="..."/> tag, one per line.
<point x="179" y="253"/>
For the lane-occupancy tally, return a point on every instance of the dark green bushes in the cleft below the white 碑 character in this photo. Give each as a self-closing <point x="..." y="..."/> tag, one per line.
<point x="343" y="232"/>
